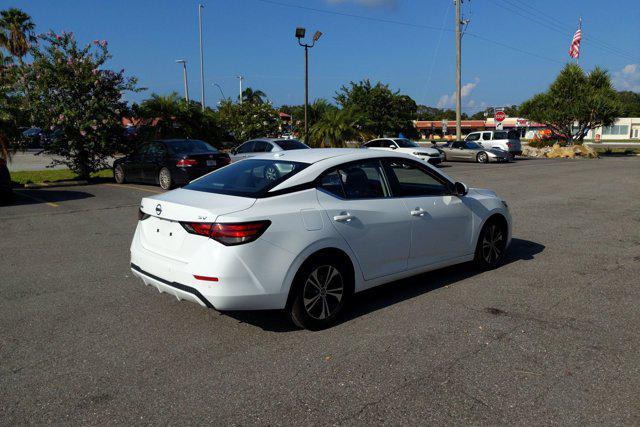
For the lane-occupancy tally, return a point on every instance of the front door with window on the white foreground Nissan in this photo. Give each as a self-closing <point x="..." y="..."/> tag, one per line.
<point x="441" y="223"/>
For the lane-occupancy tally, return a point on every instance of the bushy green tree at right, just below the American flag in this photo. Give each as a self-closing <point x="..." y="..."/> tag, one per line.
<point x="575" y="103"/>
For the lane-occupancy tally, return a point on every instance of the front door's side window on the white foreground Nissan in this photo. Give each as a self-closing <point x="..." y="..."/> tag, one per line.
<point x="407" y="179"/>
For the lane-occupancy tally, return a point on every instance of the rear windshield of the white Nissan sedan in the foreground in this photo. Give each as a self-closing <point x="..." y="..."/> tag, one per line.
<point x="247" y="178"/>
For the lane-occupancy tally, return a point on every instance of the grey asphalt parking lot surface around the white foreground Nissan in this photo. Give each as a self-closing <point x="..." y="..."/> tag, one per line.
<point x="550" y="337"/>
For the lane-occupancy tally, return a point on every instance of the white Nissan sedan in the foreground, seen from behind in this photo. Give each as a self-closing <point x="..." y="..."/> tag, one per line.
<point x="331" y="223"/>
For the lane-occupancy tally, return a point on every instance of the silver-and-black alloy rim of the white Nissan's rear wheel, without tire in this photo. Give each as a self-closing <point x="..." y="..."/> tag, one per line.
<point x="323" y="292"/>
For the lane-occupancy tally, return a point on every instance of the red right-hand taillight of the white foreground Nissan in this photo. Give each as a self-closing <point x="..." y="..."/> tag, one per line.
<point x="229" y="234"/>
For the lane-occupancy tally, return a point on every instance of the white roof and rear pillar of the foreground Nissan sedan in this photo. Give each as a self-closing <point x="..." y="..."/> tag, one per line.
<point x="321" y="159"/>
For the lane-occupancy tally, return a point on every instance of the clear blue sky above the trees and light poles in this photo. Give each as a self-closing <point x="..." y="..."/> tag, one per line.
<point x="513" y="49"/>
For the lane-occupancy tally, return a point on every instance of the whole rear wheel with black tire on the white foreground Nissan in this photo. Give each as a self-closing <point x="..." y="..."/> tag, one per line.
<point x="321" y="290"/>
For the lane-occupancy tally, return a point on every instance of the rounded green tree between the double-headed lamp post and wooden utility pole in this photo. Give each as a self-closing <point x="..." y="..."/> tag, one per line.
<point x="388" y="112"/>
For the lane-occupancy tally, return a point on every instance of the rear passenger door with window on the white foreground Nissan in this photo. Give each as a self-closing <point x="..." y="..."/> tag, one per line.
<point x="376" y="227"/>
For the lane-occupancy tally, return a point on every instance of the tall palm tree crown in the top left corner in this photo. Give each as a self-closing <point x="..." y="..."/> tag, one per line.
<point x="16" y="32"/>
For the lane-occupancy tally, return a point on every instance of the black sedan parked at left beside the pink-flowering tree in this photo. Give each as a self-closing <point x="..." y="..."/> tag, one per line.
<point x="169" y="162"/>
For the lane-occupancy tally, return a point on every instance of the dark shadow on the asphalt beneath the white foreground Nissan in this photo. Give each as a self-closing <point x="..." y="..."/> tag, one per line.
<point x="391" y="293"/>
